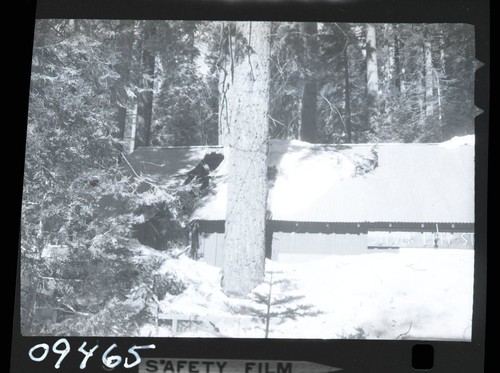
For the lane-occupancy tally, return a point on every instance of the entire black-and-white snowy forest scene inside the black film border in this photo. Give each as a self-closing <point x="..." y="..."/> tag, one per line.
<point x="249" y="179"/>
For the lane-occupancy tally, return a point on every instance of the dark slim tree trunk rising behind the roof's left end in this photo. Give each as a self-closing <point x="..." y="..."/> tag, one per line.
<point x="145" y="97"/>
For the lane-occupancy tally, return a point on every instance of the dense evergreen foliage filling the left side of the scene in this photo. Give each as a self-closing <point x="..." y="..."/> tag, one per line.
<point x="71" y="174"/>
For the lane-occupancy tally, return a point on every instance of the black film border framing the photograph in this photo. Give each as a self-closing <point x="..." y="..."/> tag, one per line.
<point x="352" y="355"/>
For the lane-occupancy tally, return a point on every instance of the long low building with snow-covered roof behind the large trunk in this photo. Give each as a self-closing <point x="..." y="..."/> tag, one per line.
<point x="339" y="199"/>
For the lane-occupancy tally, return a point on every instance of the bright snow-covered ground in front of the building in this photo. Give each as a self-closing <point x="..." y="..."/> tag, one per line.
<point x="413" y="294"/>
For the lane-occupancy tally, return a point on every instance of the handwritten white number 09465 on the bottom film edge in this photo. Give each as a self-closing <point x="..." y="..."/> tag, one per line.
<point x="62" y="347"/>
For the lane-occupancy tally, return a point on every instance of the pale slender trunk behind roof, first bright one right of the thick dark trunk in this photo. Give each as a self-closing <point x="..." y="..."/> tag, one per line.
<point x="371" y="77"/>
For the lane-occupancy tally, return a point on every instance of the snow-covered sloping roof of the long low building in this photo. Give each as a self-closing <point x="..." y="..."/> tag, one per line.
<point x="412" y="183"/>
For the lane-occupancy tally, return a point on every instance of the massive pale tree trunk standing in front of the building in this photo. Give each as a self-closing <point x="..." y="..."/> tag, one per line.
<point x="247" y="95"/>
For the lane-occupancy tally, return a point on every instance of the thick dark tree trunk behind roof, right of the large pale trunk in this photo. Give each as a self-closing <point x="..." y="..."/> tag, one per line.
<point x="308" y="130"/>
